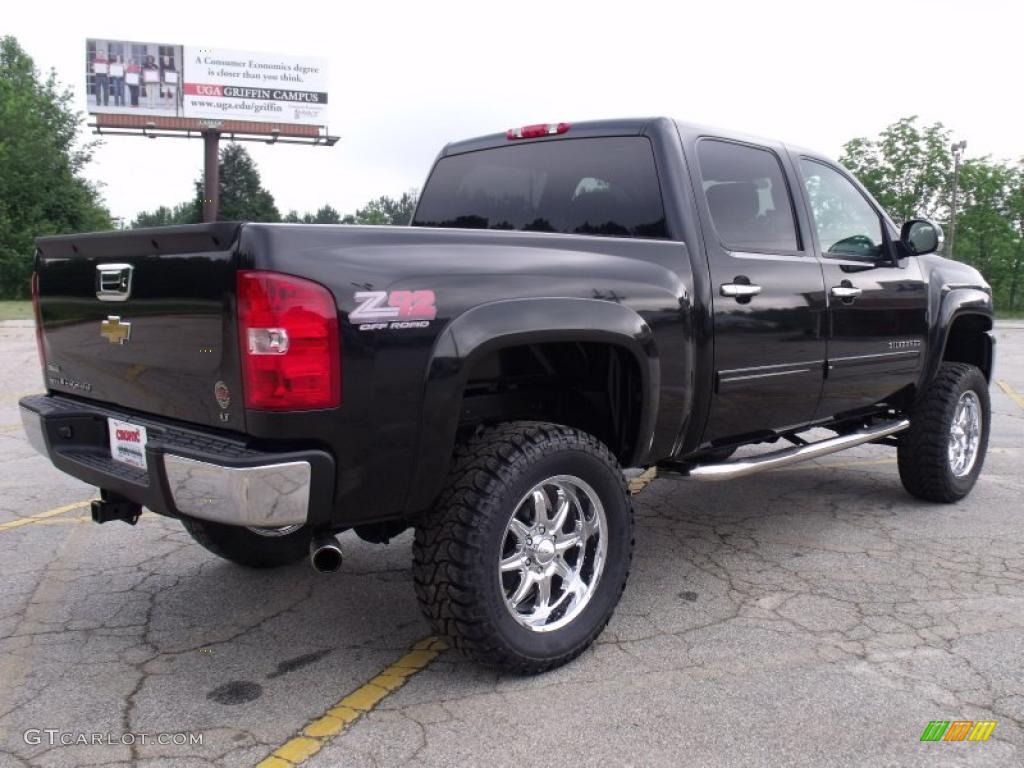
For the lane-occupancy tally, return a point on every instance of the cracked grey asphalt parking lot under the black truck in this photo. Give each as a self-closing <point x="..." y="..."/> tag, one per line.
<point x="816" y="616"/>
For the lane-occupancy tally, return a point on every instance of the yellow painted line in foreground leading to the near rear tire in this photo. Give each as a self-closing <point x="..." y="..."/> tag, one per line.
<point x="318" y="733"/>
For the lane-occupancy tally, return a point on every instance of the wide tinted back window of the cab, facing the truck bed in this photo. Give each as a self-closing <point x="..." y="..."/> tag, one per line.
<point x="578" y="187"/>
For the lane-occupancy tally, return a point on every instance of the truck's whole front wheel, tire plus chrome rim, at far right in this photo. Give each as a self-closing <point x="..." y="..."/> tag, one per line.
<point x="942" y="455"/>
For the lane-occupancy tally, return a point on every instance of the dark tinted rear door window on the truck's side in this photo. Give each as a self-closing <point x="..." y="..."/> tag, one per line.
<point x="748" y="197"/>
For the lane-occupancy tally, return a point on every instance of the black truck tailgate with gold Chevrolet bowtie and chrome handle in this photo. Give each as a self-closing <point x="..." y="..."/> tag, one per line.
<point x="145" y="319"/>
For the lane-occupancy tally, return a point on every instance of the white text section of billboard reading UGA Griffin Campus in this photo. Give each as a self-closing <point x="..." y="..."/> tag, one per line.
<point x="261" y="88"/>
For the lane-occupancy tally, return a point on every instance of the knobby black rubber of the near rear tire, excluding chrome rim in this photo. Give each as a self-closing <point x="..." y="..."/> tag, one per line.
<point x="458" y="543"/>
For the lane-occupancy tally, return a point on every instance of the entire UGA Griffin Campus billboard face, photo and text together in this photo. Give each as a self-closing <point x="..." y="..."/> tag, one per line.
<point x="133" y="78"/>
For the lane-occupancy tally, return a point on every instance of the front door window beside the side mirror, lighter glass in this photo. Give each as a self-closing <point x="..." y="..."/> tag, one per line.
<point x="847" y="226"/>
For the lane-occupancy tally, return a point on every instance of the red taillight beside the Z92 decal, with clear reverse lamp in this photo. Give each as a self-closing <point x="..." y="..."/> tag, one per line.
<point x="288" y="332"/>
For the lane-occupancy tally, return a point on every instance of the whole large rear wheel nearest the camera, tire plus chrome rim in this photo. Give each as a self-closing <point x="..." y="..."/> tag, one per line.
<point x="525" y="557"/>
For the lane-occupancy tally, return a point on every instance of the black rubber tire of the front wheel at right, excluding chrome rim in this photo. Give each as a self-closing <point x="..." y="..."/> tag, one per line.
<point x="923" y="452"/>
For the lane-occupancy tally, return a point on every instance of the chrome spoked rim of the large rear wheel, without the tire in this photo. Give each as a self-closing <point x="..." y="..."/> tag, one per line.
<point x="553" y="553"/>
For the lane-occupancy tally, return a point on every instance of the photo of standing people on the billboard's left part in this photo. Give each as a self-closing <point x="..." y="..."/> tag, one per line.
<point x="125" y="77"/>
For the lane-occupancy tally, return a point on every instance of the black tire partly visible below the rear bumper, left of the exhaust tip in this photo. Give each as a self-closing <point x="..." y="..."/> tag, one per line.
<point x="246" y="548"/>
